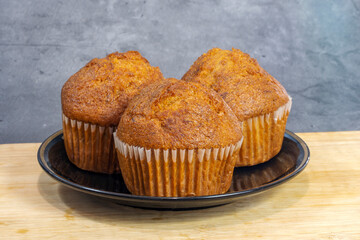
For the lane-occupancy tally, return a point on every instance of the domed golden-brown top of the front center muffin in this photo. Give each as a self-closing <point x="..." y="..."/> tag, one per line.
<point x="177" y="114"/>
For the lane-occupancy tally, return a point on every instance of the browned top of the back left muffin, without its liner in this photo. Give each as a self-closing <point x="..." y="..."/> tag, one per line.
<point x="99" y="92"/>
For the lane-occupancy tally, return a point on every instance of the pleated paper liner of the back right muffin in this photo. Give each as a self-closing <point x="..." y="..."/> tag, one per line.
<point x="263" y="136"/>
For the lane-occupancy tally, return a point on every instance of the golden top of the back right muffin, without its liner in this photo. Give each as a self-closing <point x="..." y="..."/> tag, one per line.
<point x="247" y="88"/>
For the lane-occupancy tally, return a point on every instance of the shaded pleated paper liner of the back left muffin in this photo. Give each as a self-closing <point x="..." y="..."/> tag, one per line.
<point x="90" y="146"/>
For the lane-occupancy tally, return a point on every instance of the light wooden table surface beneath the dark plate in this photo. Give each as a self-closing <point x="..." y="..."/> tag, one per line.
<point x="322" y="202"/>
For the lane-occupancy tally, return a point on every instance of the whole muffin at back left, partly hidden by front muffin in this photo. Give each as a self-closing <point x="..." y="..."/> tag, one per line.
<point x="93" y="100"/>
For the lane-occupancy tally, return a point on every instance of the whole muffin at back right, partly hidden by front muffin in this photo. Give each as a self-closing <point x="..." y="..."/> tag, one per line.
<point x="257" y="99"/>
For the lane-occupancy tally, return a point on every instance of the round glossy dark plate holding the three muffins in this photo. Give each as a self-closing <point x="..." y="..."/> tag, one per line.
<point x="291" y="160"/>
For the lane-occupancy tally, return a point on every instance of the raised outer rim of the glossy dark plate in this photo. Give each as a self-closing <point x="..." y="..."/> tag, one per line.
<point x="128" y="196"/>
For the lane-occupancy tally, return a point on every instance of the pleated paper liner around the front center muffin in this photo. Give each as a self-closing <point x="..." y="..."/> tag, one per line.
<point x="176" y="172"/>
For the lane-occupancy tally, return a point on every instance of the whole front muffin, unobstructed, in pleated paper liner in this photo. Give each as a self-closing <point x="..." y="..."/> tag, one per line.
<point x="177" y="139"/>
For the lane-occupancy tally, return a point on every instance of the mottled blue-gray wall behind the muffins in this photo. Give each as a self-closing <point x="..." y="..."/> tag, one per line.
<point x="311" y="47"/>
